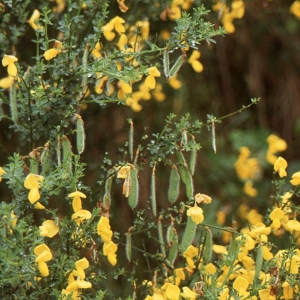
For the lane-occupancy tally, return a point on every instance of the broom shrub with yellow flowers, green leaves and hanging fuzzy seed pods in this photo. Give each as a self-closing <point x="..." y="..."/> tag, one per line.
<point x="58" y="239"/>
